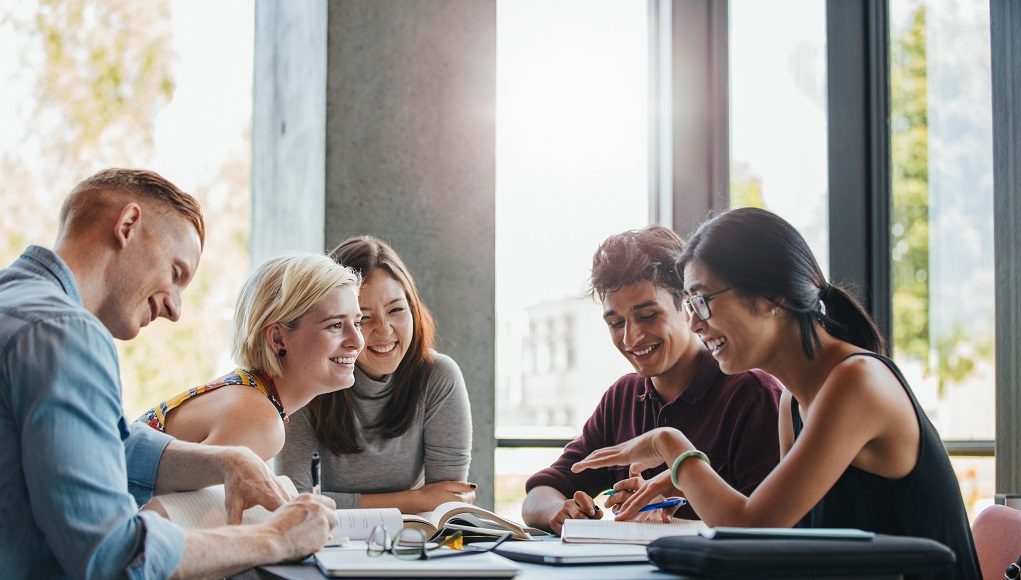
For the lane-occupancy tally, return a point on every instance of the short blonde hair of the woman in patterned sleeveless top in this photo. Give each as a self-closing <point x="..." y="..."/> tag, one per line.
<point x="280" y="292"/>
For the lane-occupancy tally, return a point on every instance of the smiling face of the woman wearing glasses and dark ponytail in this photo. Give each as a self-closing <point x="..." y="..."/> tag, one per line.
<point x="740" y="335"/>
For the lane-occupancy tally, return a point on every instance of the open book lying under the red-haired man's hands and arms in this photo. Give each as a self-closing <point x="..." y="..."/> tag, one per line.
<point x="205" y="509"/>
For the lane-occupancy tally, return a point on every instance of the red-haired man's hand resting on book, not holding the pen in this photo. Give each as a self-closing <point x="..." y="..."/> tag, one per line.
<point x="249" y="482"/>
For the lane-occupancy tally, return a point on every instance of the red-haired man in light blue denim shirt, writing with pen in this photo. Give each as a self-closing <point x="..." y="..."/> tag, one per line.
<point x="73" y="472"/>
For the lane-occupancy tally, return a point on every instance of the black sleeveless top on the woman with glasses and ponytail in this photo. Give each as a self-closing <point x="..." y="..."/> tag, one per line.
<point x="927" y="503"/>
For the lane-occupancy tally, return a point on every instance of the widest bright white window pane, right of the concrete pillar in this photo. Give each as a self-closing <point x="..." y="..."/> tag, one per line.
<point x="571" y="169"/>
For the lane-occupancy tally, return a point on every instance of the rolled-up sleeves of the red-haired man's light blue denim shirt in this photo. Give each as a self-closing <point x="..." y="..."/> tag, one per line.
<point x="76" y="447"/>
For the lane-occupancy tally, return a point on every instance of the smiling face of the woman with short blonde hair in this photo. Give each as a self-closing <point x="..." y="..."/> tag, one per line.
<point x="323" y="348"/>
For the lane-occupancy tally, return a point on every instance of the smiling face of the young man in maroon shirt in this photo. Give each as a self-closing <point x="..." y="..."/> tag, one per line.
<point x="648" y="329"/>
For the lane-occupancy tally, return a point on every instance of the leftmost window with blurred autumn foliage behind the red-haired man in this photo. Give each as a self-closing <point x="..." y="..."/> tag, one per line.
<point x="156" y="85"/>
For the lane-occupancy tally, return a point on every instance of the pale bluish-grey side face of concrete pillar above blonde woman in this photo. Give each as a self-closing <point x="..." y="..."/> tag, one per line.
<point x="288" y="128"/>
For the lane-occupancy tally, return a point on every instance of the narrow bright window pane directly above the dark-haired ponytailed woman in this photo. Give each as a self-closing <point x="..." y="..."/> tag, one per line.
<point x="779" y="114"/>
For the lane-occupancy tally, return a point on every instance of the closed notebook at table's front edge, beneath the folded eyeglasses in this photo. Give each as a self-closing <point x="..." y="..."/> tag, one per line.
<point x="357" y="564"/>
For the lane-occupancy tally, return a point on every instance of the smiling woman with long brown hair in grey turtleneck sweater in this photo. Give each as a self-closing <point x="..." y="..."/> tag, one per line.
<point x="402" y="437"/>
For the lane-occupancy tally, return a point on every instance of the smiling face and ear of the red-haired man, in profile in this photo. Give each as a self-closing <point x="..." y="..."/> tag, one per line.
<point x="154" y="269"/>
